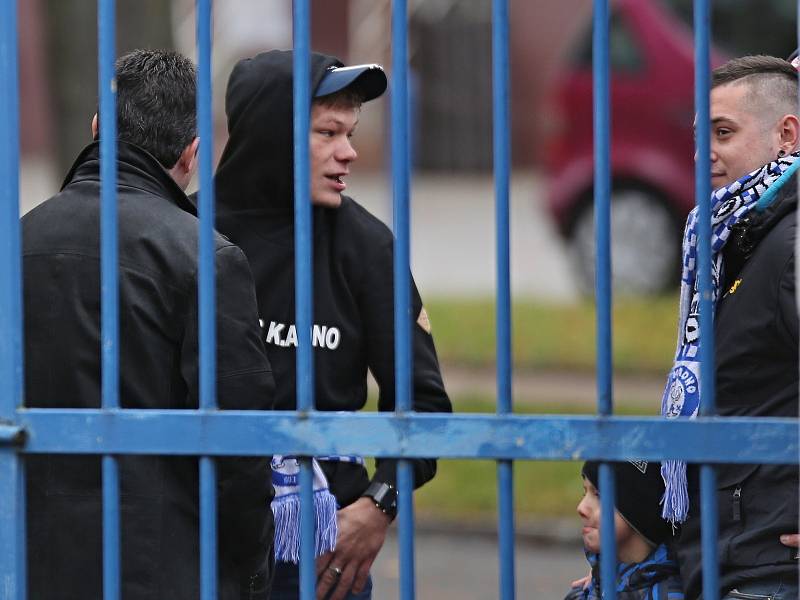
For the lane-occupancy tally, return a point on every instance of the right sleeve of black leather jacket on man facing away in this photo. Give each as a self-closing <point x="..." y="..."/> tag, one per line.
<point x="244" y="382"/>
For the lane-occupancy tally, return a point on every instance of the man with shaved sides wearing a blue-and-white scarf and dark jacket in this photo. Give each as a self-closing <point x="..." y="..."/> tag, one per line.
<point x="754" y="141"/>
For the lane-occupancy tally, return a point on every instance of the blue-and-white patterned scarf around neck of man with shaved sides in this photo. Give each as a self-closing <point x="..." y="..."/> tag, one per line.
<point x="681" y="396"/>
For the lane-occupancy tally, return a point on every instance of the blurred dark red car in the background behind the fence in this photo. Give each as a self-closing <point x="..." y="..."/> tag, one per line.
<point x="652" y="105"/>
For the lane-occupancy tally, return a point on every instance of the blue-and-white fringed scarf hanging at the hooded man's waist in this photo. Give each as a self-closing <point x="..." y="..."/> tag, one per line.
<point x="286" y="507"/>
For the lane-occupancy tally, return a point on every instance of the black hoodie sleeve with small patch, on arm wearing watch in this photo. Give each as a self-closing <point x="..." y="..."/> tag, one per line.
<point x="428" y="393"/>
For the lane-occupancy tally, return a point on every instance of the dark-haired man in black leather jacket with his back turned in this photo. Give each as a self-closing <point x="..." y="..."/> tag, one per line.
<point x="158" y="238"/>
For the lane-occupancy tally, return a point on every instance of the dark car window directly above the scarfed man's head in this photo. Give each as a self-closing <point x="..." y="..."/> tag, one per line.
<point x="742" y="27"/>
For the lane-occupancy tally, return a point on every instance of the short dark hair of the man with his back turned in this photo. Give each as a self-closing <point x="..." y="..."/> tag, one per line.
<point x="156" y="100"/>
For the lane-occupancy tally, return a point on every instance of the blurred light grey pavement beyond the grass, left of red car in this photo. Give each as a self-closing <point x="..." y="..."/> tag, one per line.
<point x="453" y="235"/>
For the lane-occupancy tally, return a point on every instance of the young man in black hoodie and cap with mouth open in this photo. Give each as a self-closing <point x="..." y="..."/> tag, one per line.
<point x="353" y="285"/>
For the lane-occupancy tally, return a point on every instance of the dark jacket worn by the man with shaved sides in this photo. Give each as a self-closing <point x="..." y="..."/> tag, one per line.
<point x="756" y="335"/>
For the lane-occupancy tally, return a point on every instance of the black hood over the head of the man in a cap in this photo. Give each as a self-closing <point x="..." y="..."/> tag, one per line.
<point x="255" y="175"/>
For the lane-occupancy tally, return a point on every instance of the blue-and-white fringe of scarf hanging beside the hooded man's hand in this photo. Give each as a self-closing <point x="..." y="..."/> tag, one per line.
<point x="286" y="510"/>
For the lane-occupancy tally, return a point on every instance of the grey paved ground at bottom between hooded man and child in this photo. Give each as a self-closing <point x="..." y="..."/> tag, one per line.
<point x="458" y="567"/>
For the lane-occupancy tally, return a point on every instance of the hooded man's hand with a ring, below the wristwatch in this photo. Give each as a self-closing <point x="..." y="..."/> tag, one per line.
<point x="362" y="531"/>
